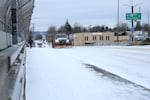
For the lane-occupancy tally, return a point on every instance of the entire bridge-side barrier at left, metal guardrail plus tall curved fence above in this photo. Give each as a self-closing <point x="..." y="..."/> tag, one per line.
<point x="12" y="55"/>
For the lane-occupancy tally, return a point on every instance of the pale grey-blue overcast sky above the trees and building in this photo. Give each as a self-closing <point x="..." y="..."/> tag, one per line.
<point x="85" y="12"/>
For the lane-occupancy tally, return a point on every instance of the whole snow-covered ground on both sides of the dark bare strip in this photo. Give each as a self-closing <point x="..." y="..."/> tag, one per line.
<point x="60" y="74"/>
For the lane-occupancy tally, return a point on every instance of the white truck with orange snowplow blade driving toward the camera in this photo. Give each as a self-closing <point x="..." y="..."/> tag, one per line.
<point x="61" y="40"/>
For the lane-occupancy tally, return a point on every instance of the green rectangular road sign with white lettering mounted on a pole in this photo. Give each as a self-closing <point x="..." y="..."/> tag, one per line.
<point x="133" y="16"/>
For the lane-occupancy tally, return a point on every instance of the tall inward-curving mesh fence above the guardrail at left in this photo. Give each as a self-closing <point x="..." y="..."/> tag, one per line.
<point x="9" y="32"/>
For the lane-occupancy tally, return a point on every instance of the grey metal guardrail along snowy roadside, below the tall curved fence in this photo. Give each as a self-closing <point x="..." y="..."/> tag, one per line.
<point x="12" y="73"/>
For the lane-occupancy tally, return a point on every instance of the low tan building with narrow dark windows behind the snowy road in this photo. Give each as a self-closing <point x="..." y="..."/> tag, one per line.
<point x="98" y="38"/>
